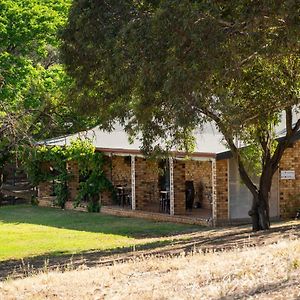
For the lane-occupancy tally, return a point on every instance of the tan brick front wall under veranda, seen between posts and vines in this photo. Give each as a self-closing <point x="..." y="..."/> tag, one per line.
<point x="118" y="170"/>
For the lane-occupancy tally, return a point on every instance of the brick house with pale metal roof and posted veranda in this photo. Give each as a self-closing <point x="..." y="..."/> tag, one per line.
<point x="161" y="189"/>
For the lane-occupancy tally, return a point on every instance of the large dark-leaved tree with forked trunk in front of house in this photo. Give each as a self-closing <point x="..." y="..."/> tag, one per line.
<point x="165" y="67"/>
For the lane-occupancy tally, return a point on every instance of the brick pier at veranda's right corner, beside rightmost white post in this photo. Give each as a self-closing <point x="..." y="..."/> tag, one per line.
<point x="221" y="213"/>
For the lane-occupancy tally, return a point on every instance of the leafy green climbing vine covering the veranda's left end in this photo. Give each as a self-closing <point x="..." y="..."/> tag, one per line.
<point x="44" y="164"/>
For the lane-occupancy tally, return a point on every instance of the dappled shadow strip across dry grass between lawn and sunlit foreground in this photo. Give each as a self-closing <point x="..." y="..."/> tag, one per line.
<point x="214" y="240"/>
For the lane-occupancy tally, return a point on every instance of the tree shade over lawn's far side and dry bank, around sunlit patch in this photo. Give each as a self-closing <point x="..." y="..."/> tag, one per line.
<point x="191" y="238"/>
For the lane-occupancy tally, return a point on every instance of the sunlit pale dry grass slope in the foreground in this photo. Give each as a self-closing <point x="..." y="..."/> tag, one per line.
<point x="262" y="272"/>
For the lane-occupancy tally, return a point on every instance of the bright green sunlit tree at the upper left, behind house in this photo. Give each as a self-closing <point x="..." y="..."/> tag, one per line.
<point x="33" y="82"/>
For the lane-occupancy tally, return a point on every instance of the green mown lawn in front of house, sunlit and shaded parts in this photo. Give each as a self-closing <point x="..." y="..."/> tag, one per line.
<point x="32" y="231"/>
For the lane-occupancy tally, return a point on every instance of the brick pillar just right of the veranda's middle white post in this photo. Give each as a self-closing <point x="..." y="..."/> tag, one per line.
<point x="179" y="187"/>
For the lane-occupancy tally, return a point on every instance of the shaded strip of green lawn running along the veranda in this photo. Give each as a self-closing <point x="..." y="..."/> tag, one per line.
<point x="92" y="222"/>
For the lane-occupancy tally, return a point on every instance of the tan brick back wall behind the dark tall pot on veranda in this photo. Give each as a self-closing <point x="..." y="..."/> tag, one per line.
<point x="200" y="172"/>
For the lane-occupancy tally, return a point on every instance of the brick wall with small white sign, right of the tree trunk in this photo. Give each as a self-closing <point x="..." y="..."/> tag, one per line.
<point x="289" y="189"/>
